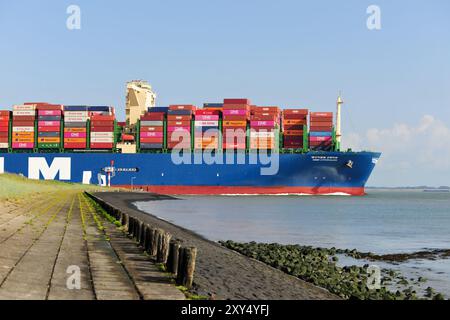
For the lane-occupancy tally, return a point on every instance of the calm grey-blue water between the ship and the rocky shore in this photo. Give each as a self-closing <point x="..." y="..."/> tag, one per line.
<point x="382" y="222"/>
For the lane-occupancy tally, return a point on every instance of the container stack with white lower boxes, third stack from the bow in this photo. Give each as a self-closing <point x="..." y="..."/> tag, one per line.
<point x="264" y="127"/>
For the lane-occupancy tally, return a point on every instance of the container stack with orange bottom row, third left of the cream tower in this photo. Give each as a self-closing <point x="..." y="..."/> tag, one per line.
<point x="49" y="126"/>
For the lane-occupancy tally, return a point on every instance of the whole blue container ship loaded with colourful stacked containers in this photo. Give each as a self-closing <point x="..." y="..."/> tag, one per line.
<point x="227" y="148"/>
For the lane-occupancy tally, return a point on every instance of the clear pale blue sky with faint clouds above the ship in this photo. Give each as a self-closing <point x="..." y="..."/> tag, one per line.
<point x="289" y="53"/>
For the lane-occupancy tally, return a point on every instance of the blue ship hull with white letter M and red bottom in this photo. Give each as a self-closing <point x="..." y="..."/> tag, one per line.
<point x="310" y="173"/>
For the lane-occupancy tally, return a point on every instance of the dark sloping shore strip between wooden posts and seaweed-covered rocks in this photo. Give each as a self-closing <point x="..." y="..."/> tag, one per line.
<point x="222" y="273"/>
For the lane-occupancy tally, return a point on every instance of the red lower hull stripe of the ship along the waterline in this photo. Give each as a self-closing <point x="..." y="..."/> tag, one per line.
<point x="217" y="190"/>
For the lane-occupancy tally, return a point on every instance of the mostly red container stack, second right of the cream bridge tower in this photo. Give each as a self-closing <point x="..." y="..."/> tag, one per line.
<point x="179" y="126"/>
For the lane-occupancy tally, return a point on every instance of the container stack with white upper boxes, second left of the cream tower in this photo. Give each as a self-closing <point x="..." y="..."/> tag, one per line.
<point x="75" y="127"/>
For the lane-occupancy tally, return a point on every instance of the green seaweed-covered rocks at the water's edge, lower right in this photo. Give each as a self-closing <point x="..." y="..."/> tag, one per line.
<point x="319" y="266"/>
